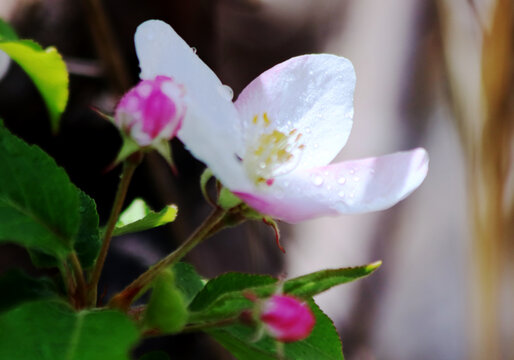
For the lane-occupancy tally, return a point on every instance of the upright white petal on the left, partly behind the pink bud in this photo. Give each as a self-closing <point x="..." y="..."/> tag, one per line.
<point x="211" y="128"/>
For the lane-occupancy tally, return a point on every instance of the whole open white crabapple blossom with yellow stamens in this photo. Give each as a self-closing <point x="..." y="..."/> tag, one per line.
<point x="274" y="145"/>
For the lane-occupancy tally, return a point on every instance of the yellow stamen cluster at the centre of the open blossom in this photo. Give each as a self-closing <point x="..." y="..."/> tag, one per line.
<point x="270" y="152"/>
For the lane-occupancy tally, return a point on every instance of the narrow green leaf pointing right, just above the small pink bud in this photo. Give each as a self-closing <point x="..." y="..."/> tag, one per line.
<point x="317" y="282"/>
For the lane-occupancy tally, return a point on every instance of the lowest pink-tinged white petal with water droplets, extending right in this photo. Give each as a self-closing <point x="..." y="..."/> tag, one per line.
<point x="348" y="187"/>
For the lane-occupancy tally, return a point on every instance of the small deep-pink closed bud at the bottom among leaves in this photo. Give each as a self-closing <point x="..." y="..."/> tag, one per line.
<point x="287" y="318"/>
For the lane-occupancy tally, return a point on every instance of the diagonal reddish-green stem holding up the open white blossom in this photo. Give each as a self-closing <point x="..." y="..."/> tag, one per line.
<point x="211" y="225"/>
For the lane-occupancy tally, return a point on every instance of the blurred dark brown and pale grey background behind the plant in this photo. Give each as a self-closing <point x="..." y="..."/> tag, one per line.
<point x="436" y="74"/>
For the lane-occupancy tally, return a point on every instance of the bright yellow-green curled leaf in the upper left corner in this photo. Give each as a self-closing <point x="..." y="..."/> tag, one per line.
<point x="47" y="70"/>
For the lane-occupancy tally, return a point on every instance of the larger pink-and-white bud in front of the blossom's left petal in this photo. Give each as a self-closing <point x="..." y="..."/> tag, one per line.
<point x="151" y="110"/>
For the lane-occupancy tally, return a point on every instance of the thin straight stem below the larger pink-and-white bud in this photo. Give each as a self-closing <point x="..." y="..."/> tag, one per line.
<point x="128" y="170"/>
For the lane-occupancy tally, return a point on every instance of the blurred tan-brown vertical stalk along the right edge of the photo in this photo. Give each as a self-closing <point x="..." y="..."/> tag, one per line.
<point x="486" y="129"/>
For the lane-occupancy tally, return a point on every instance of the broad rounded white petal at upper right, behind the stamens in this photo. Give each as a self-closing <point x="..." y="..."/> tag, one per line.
<point x="312" y="94"/>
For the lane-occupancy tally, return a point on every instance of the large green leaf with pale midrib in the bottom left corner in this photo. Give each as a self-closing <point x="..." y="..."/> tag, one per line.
<point x="50" y="330"/>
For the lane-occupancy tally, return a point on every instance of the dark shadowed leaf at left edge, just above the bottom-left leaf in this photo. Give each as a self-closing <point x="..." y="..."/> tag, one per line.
<point x="17" y="287"/>
